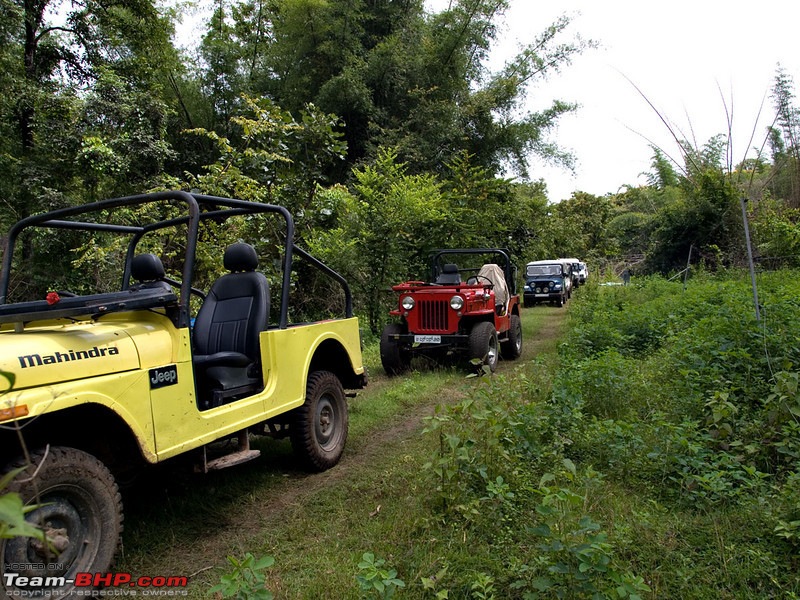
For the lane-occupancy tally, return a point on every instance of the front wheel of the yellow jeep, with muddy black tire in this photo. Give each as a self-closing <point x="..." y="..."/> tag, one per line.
<point x="80" y="511"/>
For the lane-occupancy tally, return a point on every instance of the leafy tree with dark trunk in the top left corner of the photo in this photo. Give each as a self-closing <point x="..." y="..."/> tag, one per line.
<point x="51" y="58"/>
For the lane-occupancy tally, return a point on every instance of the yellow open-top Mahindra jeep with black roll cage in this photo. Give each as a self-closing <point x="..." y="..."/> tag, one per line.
<point x="148" y="356"/>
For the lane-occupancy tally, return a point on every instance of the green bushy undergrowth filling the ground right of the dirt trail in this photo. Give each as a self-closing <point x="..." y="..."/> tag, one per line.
<point x="664" y="463"/>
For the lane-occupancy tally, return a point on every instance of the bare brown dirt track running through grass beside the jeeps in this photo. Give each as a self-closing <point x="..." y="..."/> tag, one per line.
<point x="210" y="546"/>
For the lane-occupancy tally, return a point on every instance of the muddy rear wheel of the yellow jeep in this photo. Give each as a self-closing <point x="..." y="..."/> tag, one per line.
<point x="319" y="427"/>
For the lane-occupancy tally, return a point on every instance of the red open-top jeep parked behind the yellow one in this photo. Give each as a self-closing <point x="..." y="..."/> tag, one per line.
<point x="472" y="310"/>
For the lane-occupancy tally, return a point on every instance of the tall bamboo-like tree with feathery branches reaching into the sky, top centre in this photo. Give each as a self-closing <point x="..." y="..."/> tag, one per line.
<point x="401" y="78"/>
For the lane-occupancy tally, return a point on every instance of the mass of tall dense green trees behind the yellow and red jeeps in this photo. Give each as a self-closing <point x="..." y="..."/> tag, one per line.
<point x="295" y="102"/>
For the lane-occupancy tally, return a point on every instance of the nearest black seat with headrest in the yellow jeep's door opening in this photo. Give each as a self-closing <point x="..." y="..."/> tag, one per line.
<point x="226" y="330"/>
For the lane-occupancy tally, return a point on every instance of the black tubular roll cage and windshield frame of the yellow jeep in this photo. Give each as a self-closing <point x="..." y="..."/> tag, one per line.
<point x="198" y="207"/>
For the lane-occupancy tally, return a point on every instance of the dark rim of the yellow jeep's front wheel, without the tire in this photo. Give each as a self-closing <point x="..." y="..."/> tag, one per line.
<point x="70" y="522"/>
